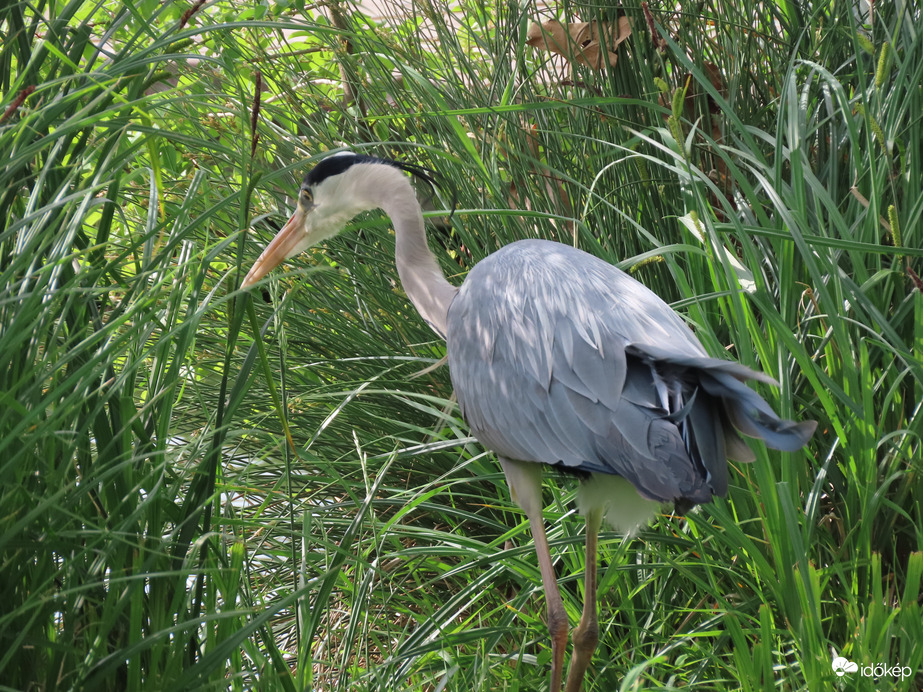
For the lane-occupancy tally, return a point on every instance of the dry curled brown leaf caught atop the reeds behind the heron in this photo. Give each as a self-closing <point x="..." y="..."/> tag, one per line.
<point x="580" y="42"/>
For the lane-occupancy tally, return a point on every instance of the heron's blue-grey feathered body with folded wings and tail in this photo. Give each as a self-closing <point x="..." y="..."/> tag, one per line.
<point x="560" y="358"/>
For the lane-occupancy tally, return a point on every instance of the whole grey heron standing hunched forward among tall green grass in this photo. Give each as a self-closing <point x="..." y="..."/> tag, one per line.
<point x="558" y="358"/>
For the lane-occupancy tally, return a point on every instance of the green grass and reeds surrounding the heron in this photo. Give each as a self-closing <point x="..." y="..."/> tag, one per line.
<point x="759" y="165"/>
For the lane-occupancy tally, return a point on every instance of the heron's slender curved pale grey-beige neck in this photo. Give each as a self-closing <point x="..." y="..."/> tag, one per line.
<point x="421" y="277"/>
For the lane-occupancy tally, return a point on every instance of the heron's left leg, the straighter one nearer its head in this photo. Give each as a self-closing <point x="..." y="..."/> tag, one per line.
<point x="525" y="480"/>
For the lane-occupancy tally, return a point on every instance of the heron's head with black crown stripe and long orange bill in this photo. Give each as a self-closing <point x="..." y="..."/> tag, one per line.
<point x="333" y="192"/>
